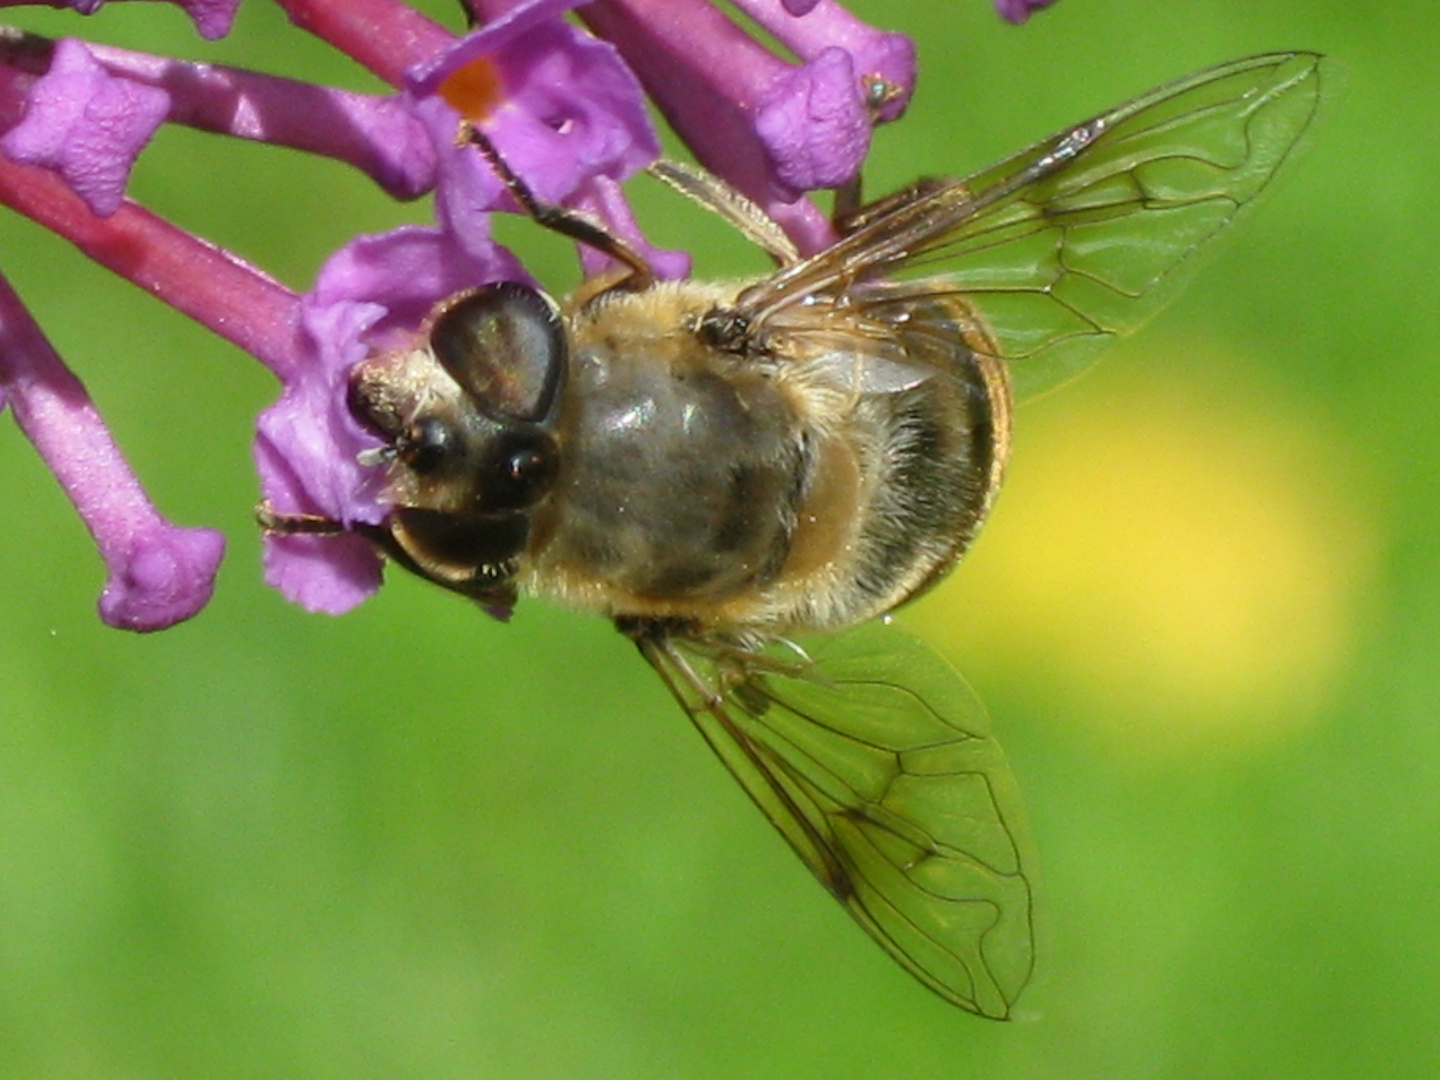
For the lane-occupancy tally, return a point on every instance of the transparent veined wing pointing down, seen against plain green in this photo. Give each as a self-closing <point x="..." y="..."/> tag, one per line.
<point x="876" y="764"/>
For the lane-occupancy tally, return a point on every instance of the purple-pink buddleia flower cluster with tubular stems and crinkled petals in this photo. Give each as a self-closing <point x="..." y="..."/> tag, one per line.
<point x="561" y="90"/>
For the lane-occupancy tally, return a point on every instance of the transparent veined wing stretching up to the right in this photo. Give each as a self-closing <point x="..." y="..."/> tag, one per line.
<point x="1063" y="247"/>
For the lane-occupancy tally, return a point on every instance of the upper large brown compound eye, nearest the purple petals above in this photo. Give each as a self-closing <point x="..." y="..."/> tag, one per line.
<point x="505" y="345"/>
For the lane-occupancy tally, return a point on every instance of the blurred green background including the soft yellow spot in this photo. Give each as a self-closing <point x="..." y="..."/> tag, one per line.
<point x="413" y="843"/>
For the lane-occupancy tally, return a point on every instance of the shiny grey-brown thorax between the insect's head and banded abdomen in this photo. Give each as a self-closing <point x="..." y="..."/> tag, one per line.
<point x="680" y="482"/>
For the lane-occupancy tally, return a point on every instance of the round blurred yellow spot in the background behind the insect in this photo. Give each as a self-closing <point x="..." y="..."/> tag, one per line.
<point x="1184" y="562"/>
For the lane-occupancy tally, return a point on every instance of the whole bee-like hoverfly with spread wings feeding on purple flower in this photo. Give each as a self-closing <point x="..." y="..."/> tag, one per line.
<point x="724" y="470"/>
